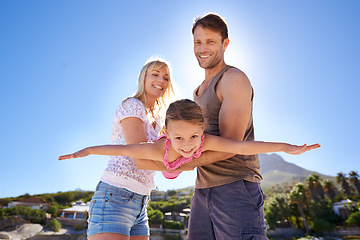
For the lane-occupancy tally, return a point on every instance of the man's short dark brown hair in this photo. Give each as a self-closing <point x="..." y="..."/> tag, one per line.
<point x="213" y="22"/>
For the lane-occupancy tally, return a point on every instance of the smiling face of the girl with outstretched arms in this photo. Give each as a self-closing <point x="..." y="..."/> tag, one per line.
<point x="185" y="137"/>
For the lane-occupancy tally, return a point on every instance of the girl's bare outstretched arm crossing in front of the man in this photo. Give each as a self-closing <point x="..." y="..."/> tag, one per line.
<point x="216" y="143"/>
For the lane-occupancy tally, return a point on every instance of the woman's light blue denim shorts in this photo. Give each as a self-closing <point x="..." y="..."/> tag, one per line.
<point x="118" y="210"/>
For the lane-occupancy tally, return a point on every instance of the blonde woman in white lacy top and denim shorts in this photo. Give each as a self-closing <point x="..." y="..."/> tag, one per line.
<point x="118" y="207"/>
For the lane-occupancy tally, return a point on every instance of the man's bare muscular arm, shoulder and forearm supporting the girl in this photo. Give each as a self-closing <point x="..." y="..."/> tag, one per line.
<point x="235" y="92"/>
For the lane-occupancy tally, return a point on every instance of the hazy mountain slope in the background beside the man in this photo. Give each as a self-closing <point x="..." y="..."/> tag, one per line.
<point x="275" y="170"/>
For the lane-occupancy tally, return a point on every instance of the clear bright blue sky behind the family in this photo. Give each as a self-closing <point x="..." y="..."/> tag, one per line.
<point x="66" y="65"/>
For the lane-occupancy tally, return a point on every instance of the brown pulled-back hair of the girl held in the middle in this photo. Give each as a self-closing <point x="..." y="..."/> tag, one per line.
<point x="186" y="110"/>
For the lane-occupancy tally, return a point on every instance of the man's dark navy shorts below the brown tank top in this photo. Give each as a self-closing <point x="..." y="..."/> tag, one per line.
<point x="230" y="211"/>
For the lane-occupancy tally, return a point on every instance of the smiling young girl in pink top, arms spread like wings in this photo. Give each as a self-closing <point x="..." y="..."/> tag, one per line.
<point x="184" y="139"/>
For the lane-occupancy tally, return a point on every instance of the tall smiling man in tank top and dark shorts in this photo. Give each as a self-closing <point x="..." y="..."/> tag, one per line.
<point x="228" y="201"/>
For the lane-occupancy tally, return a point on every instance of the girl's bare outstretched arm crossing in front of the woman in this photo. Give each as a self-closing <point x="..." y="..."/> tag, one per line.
<point x="142" y="150"/>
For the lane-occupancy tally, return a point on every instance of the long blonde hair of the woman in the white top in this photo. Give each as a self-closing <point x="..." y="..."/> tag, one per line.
<point x="154" y="64"/>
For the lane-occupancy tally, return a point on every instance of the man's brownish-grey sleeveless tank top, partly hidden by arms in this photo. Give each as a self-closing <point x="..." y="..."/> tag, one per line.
<point x="234" y="168"/>
